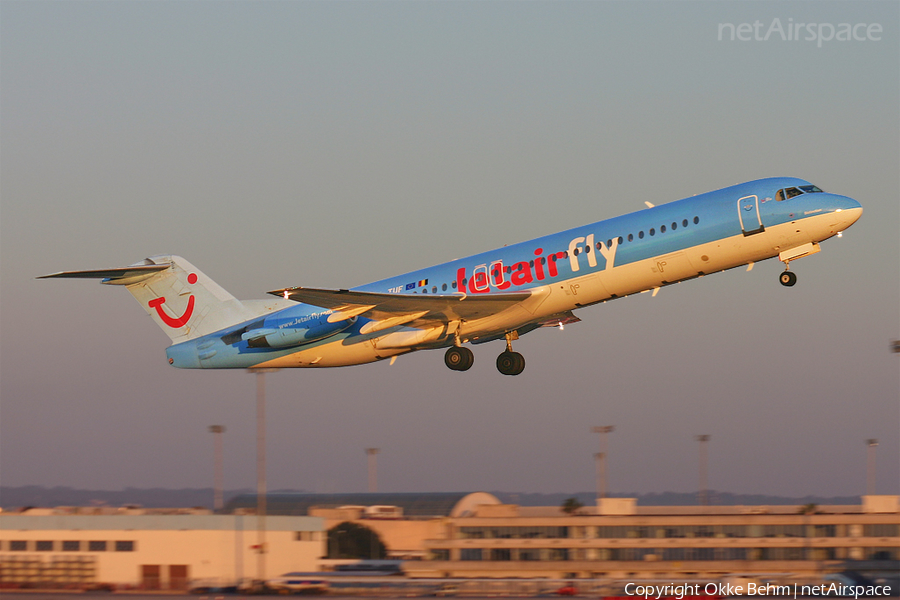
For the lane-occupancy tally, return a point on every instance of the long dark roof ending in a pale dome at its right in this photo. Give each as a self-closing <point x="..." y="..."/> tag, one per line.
<point x="414" y="504"/>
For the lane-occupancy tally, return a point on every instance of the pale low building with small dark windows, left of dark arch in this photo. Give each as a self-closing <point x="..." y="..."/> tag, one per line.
<point x="150" y="549"/>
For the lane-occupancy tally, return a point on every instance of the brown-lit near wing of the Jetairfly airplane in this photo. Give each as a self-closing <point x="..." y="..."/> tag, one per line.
<point x="415" y="310"/>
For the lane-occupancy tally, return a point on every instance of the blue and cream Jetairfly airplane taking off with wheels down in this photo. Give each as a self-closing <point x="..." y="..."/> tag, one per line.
<point x="497" y="295"/>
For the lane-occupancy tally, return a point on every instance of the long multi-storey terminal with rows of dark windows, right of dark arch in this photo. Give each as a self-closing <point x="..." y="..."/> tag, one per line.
<point x="620" y="540"/>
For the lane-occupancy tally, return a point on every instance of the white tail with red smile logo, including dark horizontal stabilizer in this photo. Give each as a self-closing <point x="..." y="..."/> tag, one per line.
<point x="184" y="302"/>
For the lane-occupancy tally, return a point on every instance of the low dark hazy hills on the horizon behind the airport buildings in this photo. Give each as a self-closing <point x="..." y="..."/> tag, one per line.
<point x="32" y="495"/>
